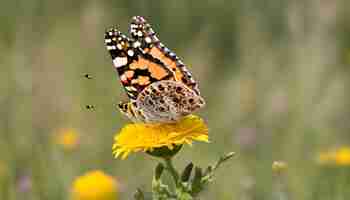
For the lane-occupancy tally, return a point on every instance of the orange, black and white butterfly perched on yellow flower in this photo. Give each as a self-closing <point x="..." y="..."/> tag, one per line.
<point x="160" y="87"/>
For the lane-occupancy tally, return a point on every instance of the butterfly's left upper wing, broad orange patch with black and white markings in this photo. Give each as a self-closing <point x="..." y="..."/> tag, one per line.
<point x="135" y="69"/>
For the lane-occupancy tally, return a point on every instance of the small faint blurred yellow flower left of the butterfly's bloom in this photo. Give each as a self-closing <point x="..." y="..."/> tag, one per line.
<point x="67" y="138"/>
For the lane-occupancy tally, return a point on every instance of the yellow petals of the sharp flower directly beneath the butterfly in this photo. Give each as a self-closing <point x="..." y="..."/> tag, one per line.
<point x="148" y="137"/>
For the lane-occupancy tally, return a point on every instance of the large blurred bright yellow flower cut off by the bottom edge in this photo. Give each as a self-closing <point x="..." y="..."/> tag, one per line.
<point x="95" y="185"/>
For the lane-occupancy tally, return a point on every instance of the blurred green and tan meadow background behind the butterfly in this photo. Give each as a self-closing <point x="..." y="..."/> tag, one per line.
<point x="275" y="75"/>
